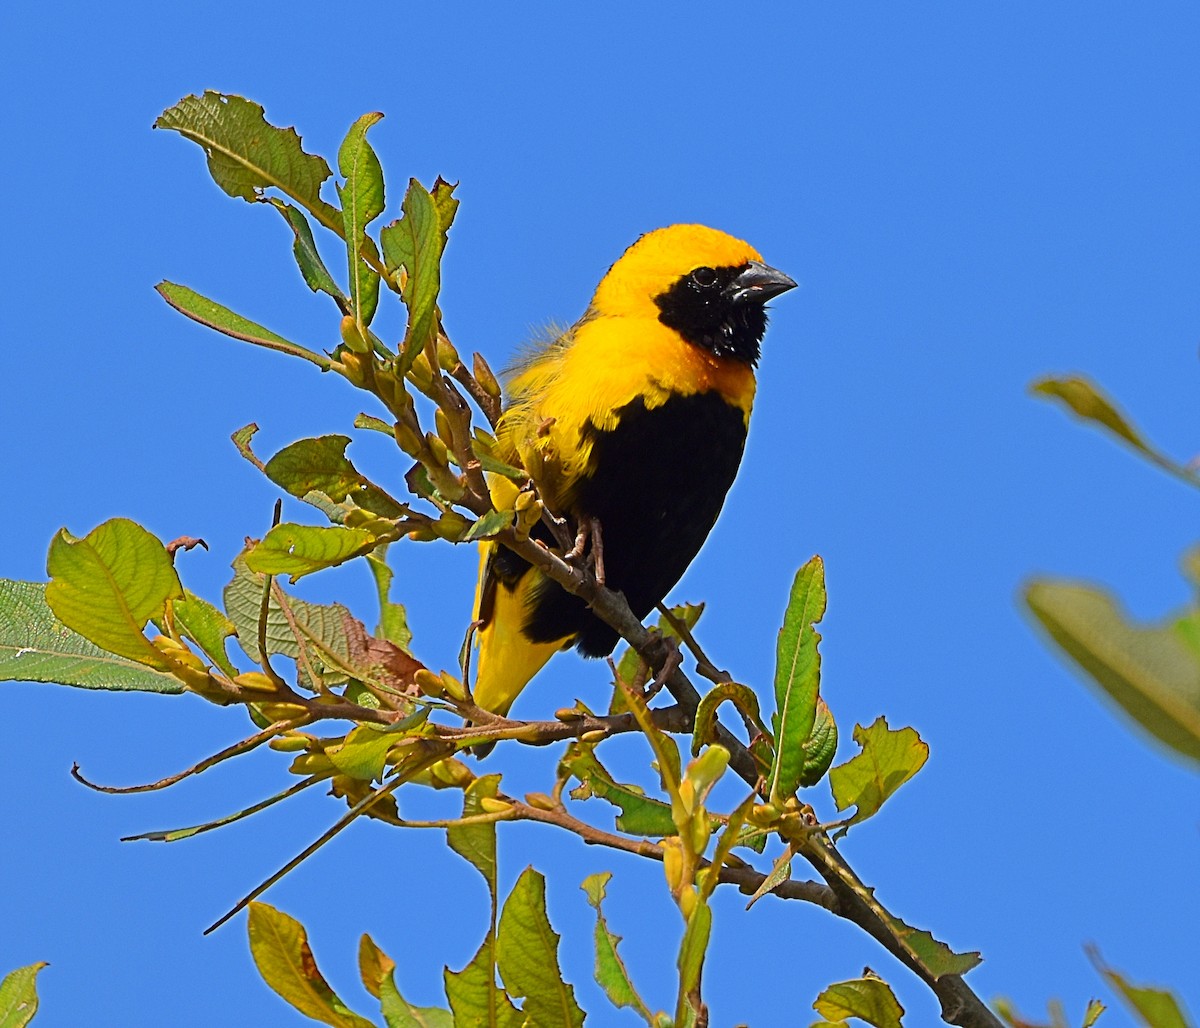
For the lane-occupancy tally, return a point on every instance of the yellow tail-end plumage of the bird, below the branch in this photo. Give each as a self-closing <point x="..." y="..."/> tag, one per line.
<point x="506" y="660"/>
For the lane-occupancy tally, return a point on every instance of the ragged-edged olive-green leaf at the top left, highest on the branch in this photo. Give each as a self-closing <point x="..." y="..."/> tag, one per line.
<point x="249" y="155"/>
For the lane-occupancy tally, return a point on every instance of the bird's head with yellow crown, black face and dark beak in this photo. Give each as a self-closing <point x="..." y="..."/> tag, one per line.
<point x="705" y="285"/>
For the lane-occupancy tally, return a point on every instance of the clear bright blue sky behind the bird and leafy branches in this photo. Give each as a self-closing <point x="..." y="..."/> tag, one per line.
<point x="970" y="196"/>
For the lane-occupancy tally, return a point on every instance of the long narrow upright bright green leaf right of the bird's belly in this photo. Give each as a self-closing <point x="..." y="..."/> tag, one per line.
<point x="797" y="680"/>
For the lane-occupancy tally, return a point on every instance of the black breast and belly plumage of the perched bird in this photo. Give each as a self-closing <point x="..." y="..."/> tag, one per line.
<point x="662" y="477"/>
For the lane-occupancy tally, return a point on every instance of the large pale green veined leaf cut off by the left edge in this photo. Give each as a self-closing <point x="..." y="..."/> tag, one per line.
<point x="38" y="647"/>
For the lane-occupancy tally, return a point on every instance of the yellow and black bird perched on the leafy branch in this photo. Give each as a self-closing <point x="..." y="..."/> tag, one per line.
<point x="635" y="420"/>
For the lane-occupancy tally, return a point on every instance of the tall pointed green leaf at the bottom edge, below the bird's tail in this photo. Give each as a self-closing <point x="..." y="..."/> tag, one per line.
<point x="529" y="957"/>
